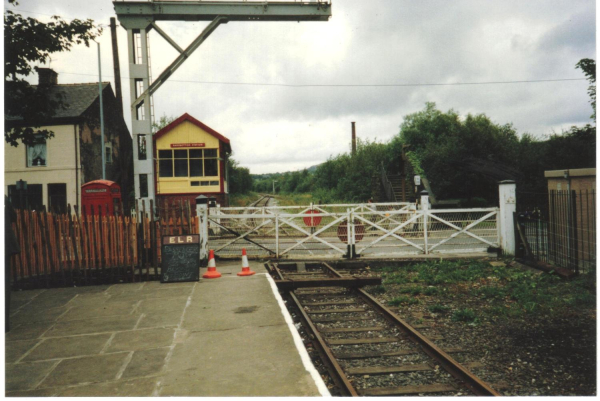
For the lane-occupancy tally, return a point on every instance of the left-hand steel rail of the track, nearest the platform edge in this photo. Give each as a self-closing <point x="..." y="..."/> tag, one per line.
<point x="335" y="370"/>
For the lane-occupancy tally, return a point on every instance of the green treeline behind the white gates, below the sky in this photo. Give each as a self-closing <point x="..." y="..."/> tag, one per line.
<point x="463" y="158"/>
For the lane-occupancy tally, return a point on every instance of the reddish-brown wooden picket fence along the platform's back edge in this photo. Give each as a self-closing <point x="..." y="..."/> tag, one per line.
<point x="75" y="249"/>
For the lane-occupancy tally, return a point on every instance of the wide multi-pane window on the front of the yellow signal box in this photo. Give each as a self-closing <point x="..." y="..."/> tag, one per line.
<point x="188" y="163"/>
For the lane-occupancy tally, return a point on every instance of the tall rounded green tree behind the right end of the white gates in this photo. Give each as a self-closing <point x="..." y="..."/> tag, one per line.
<point x="461" y="157"/>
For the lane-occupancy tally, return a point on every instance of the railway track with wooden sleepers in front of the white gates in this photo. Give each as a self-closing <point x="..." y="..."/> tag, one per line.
<point x="367" y="349"/>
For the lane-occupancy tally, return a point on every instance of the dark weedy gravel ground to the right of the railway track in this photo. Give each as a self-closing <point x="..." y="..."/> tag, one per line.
<point x="539" y="354"/>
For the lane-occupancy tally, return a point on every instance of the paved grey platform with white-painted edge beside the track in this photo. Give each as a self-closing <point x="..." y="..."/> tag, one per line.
<point x="223" y="337"/>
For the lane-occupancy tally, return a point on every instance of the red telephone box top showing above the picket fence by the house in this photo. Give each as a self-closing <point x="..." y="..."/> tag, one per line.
<point x="100" y="194"/>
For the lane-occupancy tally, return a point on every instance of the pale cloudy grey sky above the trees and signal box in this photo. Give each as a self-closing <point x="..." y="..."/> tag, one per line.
<point x="365" y="43"/>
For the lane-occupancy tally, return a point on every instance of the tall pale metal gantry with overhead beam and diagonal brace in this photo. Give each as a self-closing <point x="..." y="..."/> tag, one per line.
<point x="140" y="17"/>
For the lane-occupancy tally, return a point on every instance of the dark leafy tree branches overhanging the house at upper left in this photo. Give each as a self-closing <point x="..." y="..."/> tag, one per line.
<point x="26" y="41"/>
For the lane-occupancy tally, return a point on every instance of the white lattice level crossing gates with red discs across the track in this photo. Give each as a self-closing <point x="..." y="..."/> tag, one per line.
<point x="345" y="231"/>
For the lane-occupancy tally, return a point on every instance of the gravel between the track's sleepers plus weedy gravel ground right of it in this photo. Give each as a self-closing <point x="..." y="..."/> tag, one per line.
<point x="547" y="354"/>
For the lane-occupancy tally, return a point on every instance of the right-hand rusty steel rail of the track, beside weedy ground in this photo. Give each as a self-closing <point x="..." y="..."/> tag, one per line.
<point x="450" y="365"/>
